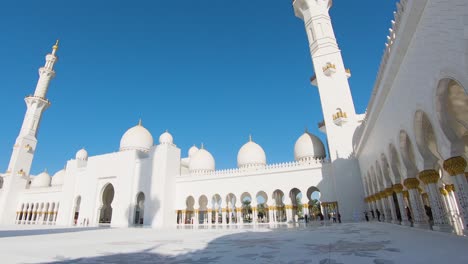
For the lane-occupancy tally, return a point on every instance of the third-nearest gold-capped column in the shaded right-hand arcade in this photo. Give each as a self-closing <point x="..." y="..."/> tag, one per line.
<point x="419" y="214"/>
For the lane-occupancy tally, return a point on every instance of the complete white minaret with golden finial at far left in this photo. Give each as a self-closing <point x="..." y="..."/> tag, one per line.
<point x="17" y="176"/>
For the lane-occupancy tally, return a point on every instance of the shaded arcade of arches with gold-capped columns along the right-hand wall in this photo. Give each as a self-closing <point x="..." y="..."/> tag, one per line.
<point x="431" y="194"/>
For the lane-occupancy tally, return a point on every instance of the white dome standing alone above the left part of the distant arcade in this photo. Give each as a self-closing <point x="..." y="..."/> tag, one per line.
<point x="251" y="155"/>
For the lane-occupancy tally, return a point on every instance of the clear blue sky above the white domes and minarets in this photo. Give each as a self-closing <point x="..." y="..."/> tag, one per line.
<point x="208" y="71"/>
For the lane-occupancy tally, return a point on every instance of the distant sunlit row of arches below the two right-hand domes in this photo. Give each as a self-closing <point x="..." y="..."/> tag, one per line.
<point x="261" y="208"/>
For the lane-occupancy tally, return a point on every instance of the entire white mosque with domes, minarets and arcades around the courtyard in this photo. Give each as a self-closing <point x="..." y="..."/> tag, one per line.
<point x="405" y="157"/>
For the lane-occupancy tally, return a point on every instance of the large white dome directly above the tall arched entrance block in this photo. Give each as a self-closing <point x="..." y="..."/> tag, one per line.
<point x="136" y="138"/>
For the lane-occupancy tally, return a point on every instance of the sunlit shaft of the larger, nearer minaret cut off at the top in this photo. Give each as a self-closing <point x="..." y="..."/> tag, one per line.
<point x="331" y="76"/>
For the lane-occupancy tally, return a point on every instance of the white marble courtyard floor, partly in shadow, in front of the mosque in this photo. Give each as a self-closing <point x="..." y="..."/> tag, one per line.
<point x="339" y="243"/>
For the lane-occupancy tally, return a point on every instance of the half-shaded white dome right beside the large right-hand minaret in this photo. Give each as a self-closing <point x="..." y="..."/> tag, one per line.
<point x="308" y="147"/>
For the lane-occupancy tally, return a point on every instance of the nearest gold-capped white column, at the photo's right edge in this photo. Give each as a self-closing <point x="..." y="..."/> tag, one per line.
<point x="456" y="168"/>
